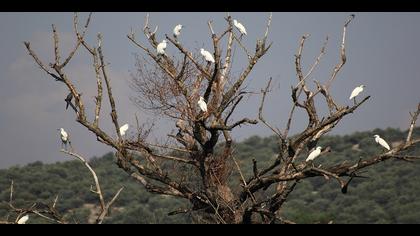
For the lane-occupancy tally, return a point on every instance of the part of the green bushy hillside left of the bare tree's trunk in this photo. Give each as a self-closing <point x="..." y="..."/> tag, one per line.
<point x="39" y="182"/>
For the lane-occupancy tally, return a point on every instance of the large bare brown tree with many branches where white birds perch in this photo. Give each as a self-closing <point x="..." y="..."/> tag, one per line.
<point x="196" y="163"/>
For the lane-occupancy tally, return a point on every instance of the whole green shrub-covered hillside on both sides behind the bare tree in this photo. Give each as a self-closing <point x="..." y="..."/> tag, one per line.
<point x="391" y="194"/>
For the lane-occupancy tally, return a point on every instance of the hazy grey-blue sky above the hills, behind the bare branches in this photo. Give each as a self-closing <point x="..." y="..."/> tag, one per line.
<point x="382" y="49"/>
